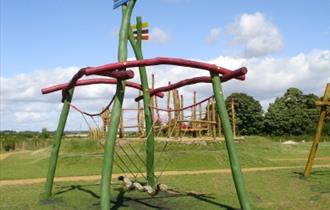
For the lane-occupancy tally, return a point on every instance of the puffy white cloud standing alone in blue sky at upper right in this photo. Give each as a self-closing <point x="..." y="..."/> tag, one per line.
<point x="257" y="34"/>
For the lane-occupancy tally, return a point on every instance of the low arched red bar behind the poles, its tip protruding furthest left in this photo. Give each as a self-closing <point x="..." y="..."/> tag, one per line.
<point x="91" y="82"/>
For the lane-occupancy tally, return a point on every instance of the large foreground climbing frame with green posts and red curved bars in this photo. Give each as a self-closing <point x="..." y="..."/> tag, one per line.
<point x="119" y="72"/>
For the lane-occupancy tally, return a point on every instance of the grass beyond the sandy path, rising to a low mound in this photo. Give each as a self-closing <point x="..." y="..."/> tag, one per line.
<point x="84" y="157"/>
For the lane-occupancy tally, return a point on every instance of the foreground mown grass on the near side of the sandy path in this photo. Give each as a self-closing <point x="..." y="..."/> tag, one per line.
<point x="283" y="189"/>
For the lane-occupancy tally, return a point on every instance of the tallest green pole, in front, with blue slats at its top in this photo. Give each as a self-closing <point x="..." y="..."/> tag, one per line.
<point x="109" y="147"/>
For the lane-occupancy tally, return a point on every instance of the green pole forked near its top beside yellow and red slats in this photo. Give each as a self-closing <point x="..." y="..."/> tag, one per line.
<point x="137" y="47"/>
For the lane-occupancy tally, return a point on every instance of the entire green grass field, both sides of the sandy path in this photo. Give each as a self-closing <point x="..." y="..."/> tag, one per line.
<point x="270" y="189"/>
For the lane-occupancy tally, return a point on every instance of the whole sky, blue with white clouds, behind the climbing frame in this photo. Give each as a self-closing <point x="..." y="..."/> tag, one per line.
<point x="282" y="43"/>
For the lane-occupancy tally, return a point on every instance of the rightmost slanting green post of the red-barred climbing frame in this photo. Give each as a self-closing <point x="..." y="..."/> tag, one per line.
<point x="233" y="158"/>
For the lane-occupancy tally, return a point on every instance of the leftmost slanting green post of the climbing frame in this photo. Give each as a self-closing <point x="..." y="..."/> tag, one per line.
<point x="56" y="145"/>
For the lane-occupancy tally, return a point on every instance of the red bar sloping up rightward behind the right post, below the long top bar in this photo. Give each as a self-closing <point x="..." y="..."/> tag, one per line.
<point x="205" y="79"/>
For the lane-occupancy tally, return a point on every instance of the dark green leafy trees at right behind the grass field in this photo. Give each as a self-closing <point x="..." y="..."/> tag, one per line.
<point x="294" y="113"/>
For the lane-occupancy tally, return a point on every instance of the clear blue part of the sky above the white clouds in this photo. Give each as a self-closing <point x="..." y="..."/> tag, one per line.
<point x="45" y="34"/>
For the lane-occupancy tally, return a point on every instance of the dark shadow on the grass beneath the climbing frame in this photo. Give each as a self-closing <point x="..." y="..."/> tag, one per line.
<point x="160" y="201"/>
